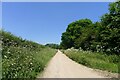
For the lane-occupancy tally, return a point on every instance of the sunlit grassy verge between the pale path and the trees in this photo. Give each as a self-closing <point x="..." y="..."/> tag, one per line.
<point x="95" y="60"/>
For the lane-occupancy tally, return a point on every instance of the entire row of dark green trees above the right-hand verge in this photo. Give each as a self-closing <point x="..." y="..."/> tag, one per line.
<point x="103" y="36"/>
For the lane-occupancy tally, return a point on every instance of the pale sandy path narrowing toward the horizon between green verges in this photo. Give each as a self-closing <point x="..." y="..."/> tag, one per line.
<point x="61" y="66"/>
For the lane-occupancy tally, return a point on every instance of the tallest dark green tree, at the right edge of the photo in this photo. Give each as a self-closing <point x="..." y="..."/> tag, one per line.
<point x="111" y="34"/>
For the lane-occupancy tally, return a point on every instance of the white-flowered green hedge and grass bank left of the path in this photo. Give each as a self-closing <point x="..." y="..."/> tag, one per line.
<point x="23" y="58"/>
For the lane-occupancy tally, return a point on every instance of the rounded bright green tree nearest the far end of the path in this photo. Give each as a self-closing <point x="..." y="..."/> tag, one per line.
<point x="73" y="31"/>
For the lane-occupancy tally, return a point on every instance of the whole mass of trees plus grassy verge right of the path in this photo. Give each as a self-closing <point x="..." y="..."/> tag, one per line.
<point x="99" y="42"/>
